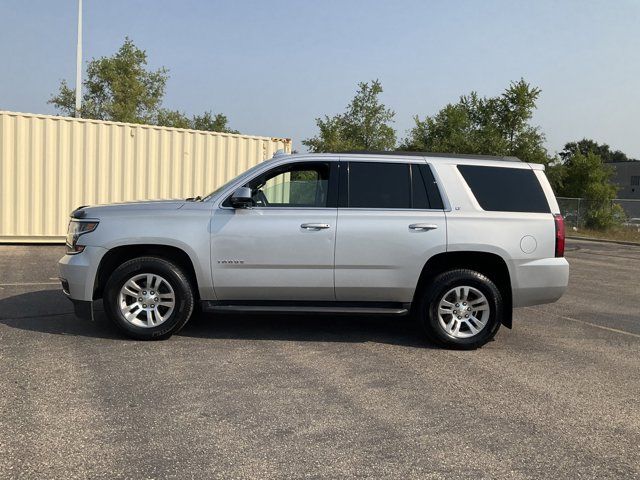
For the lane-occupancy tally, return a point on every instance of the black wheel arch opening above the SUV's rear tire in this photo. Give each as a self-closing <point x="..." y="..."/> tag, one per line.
<point x="491" y="265"/>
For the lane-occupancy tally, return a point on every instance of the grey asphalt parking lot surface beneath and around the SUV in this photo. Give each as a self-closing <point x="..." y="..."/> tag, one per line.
<point x="322" y="397"/>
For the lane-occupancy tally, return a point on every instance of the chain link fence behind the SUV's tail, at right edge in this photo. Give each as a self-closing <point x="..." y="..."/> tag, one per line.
<point x="576" y="211"/>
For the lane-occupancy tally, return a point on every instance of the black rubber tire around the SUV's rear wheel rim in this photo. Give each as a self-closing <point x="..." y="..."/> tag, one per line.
<point x="429" y="303"/>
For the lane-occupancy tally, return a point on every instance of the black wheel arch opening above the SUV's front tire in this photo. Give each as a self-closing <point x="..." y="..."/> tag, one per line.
<point x="118" y="255"/>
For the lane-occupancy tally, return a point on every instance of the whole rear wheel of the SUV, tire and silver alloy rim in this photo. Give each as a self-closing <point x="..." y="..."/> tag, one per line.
<point x="461" y="309"/>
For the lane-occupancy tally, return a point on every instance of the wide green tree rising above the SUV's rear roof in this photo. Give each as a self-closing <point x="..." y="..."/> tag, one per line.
<point x="480" y="125"/>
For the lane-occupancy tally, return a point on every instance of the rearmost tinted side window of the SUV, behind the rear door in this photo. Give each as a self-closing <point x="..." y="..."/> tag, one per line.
<point x="500" y="189"/>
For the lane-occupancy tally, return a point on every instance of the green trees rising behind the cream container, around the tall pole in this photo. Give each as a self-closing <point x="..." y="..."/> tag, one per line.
<point x="121" y="88"/>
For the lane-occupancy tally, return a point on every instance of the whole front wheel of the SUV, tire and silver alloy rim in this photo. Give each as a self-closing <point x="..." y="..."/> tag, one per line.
<point x="149" y="298"/>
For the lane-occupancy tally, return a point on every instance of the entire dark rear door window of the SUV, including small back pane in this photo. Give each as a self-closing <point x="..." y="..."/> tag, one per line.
<point x="392" y="185"/>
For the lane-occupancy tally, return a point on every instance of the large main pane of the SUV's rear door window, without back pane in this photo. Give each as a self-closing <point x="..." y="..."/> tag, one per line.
<point x="379" y="185"/>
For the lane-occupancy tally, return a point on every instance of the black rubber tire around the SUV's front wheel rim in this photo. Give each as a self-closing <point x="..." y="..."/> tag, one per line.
<point x="177" y="279"/>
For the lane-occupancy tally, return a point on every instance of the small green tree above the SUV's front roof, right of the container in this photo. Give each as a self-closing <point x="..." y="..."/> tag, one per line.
<point x="363" y="126"/>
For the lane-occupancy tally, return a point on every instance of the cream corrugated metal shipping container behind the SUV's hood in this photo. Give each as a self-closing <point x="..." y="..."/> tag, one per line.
<point x="51" y="165"/>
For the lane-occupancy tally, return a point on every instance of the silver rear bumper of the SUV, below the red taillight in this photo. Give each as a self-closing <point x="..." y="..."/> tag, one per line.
<point x="540" y="281"/>
